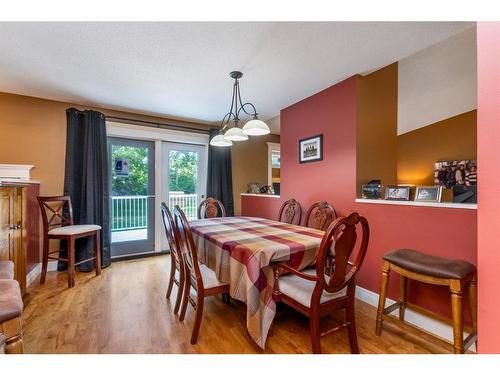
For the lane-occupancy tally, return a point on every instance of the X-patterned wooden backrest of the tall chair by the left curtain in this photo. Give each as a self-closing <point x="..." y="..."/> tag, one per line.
<point x="56" y="211"/>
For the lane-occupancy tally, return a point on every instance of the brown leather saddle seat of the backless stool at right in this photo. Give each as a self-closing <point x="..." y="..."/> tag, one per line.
<point x="430" y="265"/>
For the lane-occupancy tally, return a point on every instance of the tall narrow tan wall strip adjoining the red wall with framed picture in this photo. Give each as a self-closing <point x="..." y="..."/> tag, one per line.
<point x="376" y="151"/>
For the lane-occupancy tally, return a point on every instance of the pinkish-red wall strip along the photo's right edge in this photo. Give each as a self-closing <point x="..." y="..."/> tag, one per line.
<point x="488" y="132"/>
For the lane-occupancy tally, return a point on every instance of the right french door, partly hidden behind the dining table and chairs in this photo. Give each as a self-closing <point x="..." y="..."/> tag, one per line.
<point x="184" y="175"/>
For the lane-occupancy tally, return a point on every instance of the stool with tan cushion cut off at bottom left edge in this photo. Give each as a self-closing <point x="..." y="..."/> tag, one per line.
<point x="11" y="307"/>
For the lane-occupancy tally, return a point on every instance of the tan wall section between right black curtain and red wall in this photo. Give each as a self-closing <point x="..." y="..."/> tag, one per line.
<point x="249" y="161"/>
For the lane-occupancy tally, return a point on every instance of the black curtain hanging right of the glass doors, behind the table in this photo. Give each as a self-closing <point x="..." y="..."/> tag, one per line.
<point x="220" y="176"/>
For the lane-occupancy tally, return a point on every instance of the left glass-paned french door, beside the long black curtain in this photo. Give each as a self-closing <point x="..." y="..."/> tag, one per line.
<point x="132" y="185"/>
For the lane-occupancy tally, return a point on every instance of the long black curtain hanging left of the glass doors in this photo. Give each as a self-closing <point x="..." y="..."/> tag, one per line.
<point x="86" y="181"/>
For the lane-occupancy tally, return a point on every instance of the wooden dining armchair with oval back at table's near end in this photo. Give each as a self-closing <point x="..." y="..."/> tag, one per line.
<point x="318" y="292"/>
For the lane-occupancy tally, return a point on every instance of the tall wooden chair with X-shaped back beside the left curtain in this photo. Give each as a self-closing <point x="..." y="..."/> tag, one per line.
<point x="57" y="217"/>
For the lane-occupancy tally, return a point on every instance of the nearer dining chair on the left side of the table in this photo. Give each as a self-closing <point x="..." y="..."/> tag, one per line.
<point x="198" y="276"/>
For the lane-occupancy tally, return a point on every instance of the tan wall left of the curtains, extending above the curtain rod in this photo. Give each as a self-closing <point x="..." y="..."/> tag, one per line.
<point x="33" y="131"/>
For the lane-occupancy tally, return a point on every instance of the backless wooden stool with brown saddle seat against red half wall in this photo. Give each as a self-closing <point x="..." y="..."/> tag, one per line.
<point x="458" y="275"/>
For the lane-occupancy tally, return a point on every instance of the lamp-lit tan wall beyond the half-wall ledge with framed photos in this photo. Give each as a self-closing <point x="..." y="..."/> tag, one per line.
<point x="452" y="139"/>
